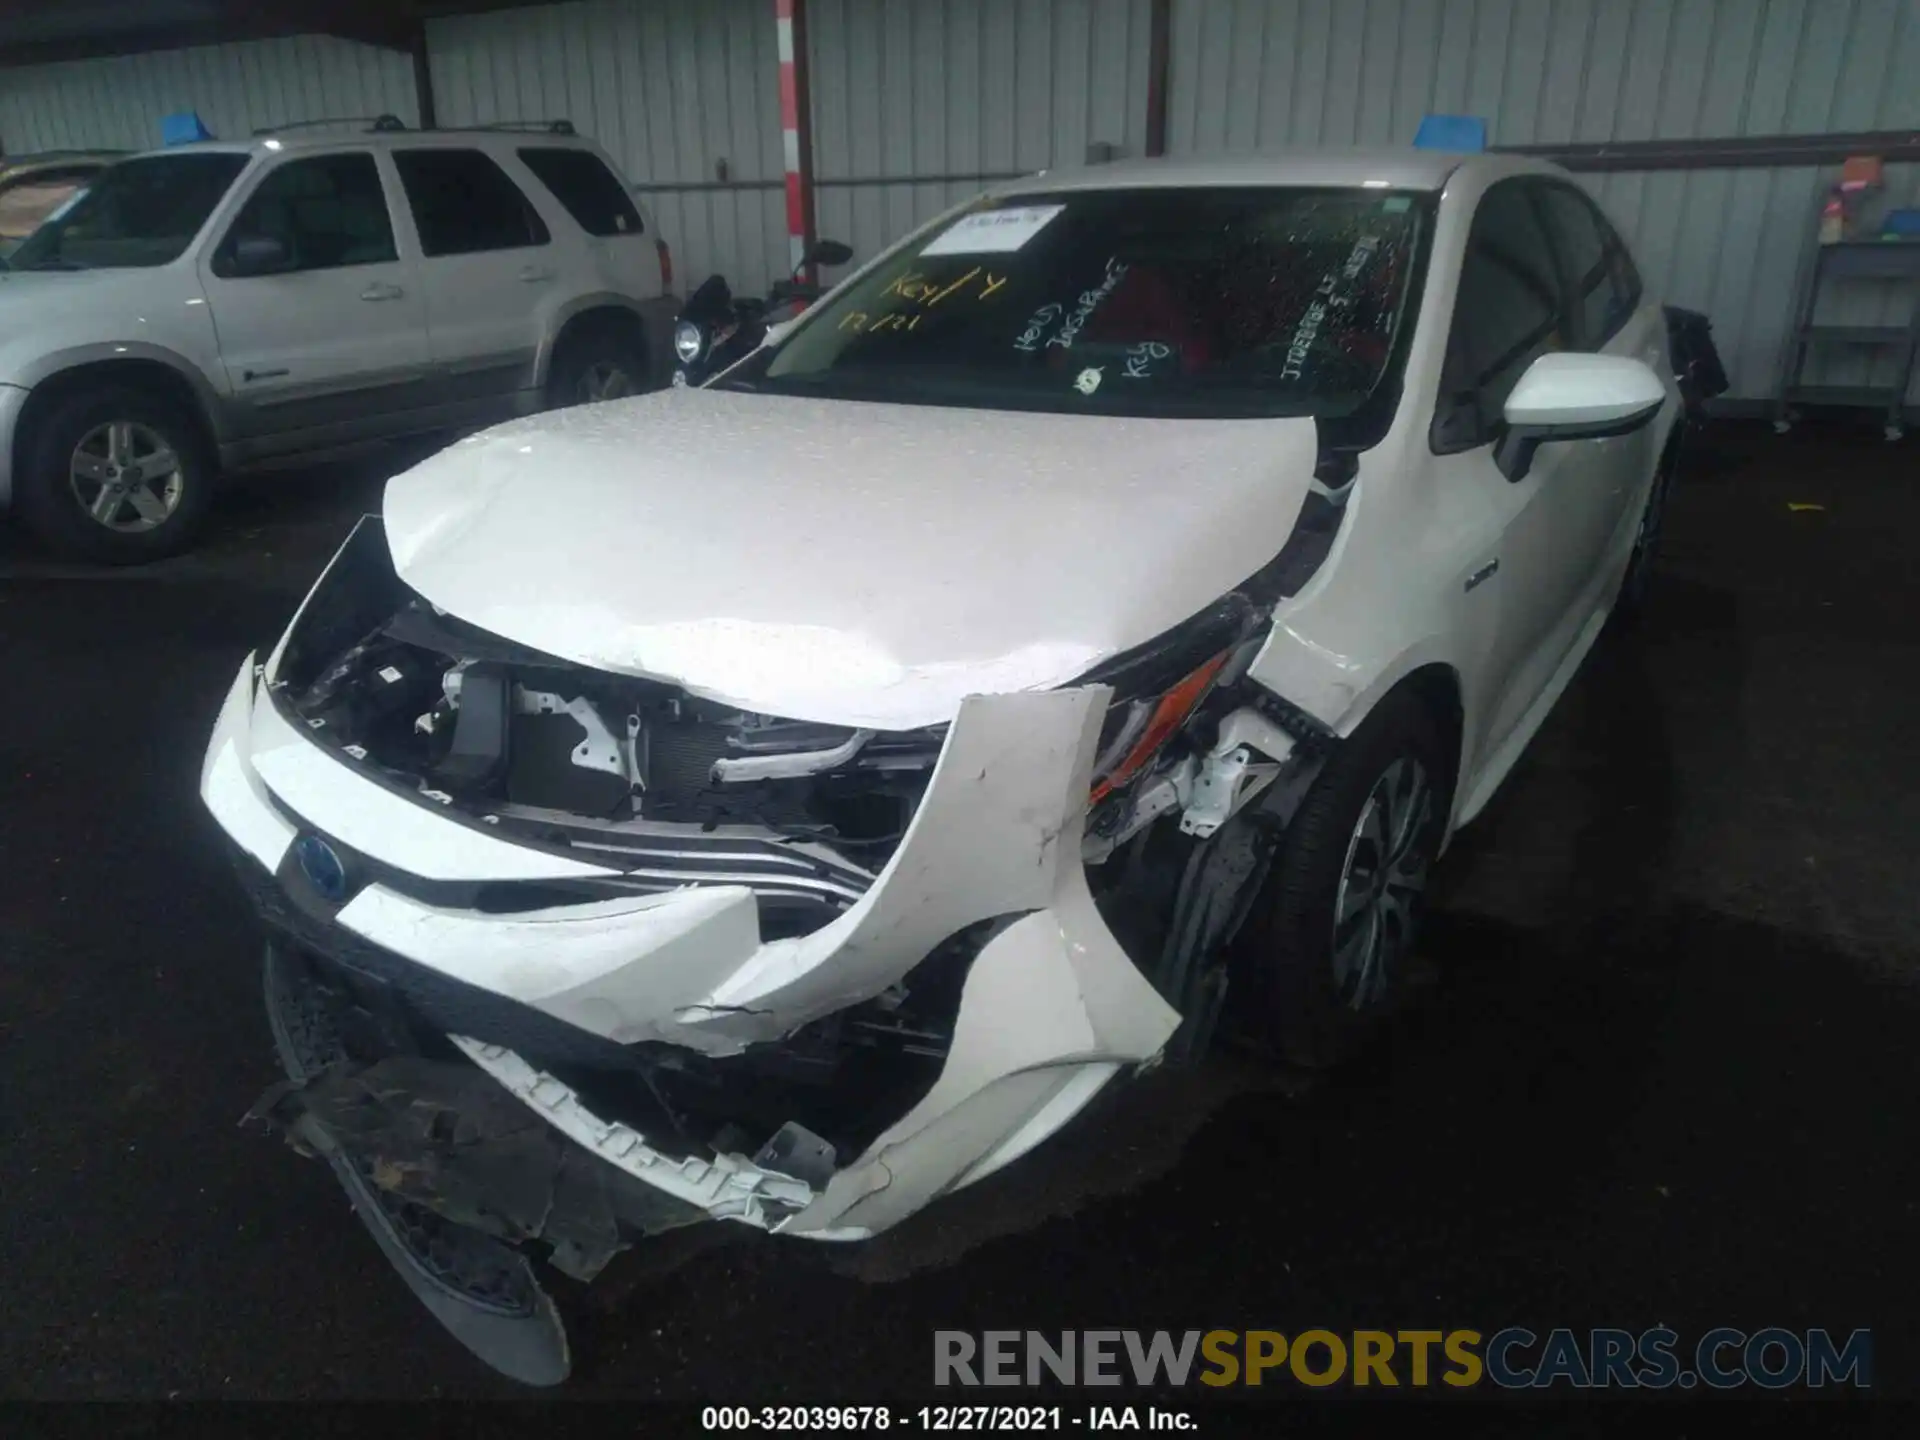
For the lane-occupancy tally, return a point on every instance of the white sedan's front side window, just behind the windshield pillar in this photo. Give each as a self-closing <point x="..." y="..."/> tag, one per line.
<point x="1508" y="314"/>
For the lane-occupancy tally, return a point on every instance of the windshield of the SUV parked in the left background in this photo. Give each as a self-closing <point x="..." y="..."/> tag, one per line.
<point x="141" y="212"/>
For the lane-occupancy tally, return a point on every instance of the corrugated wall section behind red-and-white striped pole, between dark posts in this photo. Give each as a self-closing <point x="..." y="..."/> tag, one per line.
<point x="948" y="91"/>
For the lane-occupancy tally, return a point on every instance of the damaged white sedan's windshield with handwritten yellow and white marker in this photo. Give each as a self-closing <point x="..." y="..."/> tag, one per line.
<point x="1201" y="302"/>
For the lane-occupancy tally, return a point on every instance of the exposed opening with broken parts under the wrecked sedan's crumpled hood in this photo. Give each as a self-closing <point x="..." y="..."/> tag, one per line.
<point x="554" y="754"/>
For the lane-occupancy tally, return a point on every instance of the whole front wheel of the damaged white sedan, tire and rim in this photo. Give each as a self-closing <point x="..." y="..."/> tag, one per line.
<point x="1345" y="896"/>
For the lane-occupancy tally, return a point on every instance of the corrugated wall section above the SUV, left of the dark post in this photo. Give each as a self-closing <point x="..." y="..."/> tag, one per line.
<point x="116" y="103"/>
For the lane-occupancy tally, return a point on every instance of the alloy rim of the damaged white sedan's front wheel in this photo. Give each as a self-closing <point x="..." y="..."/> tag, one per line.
<point x="1381" y="884"/>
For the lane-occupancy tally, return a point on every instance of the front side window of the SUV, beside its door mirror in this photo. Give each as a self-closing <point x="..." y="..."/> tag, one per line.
<point x="327" y="212"/>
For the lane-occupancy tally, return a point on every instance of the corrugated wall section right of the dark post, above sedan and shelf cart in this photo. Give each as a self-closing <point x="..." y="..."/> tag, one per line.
<point x="1257" y="74"/>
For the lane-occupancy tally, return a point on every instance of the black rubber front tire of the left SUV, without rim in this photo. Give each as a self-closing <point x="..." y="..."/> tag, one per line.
<point x="49" y="494"/>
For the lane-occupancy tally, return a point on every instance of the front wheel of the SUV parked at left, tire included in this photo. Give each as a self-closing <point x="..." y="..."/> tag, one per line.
<point x="116" y="475"/>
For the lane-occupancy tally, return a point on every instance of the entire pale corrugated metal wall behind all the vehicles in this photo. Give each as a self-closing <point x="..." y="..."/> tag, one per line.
<point x="917" y="103"/>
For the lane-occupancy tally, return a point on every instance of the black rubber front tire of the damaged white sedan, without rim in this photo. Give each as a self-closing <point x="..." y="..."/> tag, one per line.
<point x="1318" y="1015"/>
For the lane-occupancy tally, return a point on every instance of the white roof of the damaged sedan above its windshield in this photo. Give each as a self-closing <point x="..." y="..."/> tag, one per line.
<point x="1387" y="168"/>
